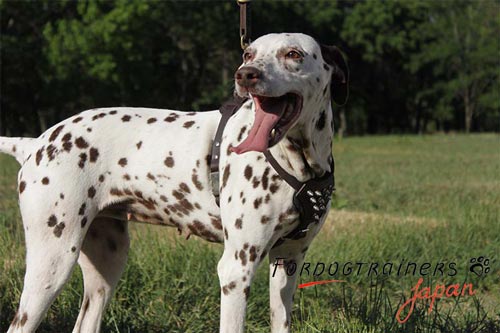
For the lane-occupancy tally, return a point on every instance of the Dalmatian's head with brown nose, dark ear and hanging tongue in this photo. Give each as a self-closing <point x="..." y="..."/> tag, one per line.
<point x="288" y="76"/>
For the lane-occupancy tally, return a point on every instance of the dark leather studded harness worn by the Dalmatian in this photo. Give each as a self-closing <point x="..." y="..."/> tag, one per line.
<point x="311" y="197"/>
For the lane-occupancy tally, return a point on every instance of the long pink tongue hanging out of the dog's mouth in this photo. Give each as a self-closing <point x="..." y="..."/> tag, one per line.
<point x="258" y="138"/>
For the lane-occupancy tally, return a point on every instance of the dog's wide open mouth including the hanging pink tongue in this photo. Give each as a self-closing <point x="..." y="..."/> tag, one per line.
<point x="273" y="117"/>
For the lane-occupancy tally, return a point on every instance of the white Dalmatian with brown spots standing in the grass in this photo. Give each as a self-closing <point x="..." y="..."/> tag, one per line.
<point x="85" y="178"/>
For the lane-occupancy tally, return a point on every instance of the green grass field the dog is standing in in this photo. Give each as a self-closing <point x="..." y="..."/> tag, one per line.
<point x="425" y="199"/>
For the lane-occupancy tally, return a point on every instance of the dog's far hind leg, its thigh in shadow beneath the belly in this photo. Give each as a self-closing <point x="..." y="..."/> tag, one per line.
<point x="102" y="259"/>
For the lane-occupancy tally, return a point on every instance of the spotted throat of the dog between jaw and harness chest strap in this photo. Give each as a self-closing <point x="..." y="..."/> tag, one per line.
<point x="306" y="150"/>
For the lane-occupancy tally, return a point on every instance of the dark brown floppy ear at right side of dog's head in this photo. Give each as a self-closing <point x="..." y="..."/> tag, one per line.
<point x="340" y="73"/>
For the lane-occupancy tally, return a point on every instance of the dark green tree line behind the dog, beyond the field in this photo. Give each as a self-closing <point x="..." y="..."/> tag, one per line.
<point x="416" y="66"/>
